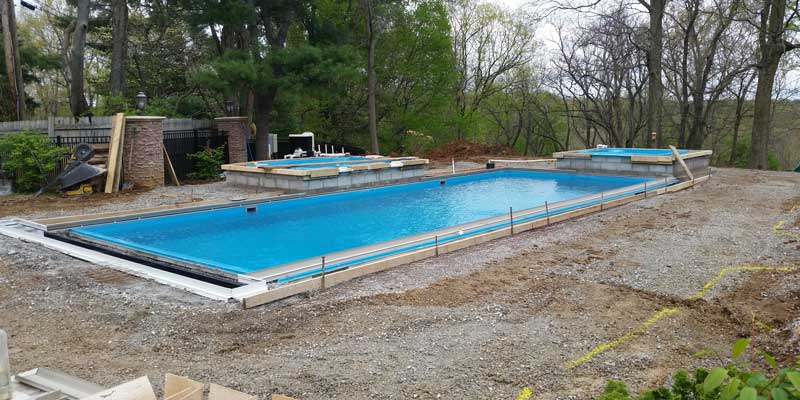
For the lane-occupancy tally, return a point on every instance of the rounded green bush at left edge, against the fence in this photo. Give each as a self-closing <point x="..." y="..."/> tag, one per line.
<point x="30" y="156"/>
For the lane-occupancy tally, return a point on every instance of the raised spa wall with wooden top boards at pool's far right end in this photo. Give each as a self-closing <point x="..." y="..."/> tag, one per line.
<point x="696" y="160"/>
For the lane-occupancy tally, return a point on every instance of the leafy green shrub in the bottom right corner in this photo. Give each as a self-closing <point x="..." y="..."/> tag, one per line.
<point x="736" y="381"/>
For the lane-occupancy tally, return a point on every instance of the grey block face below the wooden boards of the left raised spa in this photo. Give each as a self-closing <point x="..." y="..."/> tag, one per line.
<point x="345" y="180"/>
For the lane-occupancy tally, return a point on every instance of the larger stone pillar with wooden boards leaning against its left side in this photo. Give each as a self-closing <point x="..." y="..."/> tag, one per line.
<point x="144" y="166"/>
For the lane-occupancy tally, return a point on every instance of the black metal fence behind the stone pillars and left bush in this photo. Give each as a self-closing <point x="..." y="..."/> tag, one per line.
<point x="179" y="145"/>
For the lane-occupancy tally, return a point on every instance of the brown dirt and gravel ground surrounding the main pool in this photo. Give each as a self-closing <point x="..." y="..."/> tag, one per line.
<point x="483" y="322"/>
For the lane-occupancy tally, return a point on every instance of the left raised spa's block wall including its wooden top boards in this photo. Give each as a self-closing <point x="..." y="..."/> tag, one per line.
<point x="325" y="179"/>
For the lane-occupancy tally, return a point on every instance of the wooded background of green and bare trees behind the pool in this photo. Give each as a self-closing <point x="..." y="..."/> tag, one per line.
<point x="398" y="76"/>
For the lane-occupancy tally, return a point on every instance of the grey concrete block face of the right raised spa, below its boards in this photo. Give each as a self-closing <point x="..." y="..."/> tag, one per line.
<point x="623" y="166"/>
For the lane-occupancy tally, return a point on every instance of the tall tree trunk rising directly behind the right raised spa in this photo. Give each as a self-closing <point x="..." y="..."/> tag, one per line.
<point x="654" y="85"/>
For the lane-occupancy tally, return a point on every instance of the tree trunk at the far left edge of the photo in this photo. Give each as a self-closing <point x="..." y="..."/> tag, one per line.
<point x="13" y="67"/>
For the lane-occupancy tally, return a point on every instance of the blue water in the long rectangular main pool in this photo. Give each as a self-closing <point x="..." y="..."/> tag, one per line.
<point x="234" y="240"/>
